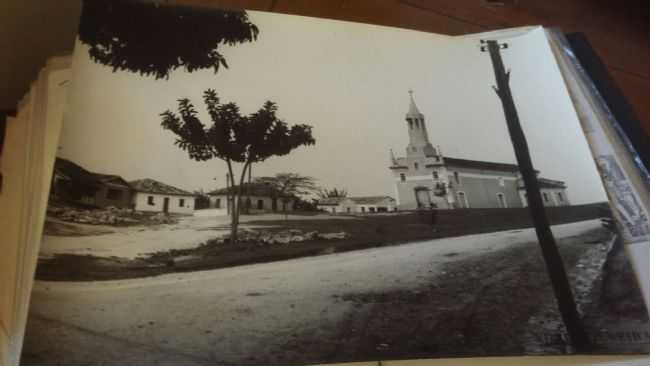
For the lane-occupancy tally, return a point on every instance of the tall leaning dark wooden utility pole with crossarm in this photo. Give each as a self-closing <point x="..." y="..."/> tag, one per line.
<point x="552" y="258"/>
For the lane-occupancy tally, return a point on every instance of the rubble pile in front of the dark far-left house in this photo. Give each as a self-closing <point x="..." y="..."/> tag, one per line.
<point x="109" y="216"/>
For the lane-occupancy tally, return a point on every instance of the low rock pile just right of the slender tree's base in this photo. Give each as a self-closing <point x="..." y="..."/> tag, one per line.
<point x="284" y="236"/>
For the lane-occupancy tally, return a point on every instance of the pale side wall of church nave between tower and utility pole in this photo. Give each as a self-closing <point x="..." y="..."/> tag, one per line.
<point x="482" y="187"/>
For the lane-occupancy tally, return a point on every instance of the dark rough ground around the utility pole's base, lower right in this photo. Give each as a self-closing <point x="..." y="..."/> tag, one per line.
<point x="501" y="304"/>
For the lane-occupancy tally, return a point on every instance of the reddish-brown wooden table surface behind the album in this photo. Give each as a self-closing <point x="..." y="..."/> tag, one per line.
<point x="620" y="34"/>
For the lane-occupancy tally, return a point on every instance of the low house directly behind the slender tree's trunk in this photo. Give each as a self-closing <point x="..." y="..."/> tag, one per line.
<point x="256" y="198"/>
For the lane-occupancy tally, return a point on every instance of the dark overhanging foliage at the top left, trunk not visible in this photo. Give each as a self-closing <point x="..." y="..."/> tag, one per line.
<point x="153" y="39"/>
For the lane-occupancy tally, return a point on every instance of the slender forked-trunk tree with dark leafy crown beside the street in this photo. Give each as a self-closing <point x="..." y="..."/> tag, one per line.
<point x="234" y="138"/>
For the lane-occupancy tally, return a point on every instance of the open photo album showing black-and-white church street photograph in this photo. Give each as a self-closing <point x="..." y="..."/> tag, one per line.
<point x="205" y="186"/>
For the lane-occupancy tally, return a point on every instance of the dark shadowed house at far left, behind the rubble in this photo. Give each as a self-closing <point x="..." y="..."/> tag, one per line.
<point x="74" y="184"/>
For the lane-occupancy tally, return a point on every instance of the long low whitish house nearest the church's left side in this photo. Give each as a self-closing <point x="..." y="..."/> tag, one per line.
<point x="357" y="205"/>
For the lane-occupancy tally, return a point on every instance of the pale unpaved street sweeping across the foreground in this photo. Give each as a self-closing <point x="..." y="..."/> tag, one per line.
<point x="272" y="312"/>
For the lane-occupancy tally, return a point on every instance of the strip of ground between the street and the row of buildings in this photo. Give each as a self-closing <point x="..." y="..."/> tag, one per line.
<point x="131" y="252"/>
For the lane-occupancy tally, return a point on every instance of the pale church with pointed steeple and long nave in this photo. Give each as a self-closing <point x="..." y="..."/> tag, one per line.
<point x="425" y="178"/>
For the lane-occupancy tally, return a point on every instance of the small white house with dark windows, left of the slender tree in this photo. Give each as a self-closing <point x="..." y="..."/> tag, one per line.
<point x="153" y="196"/>
